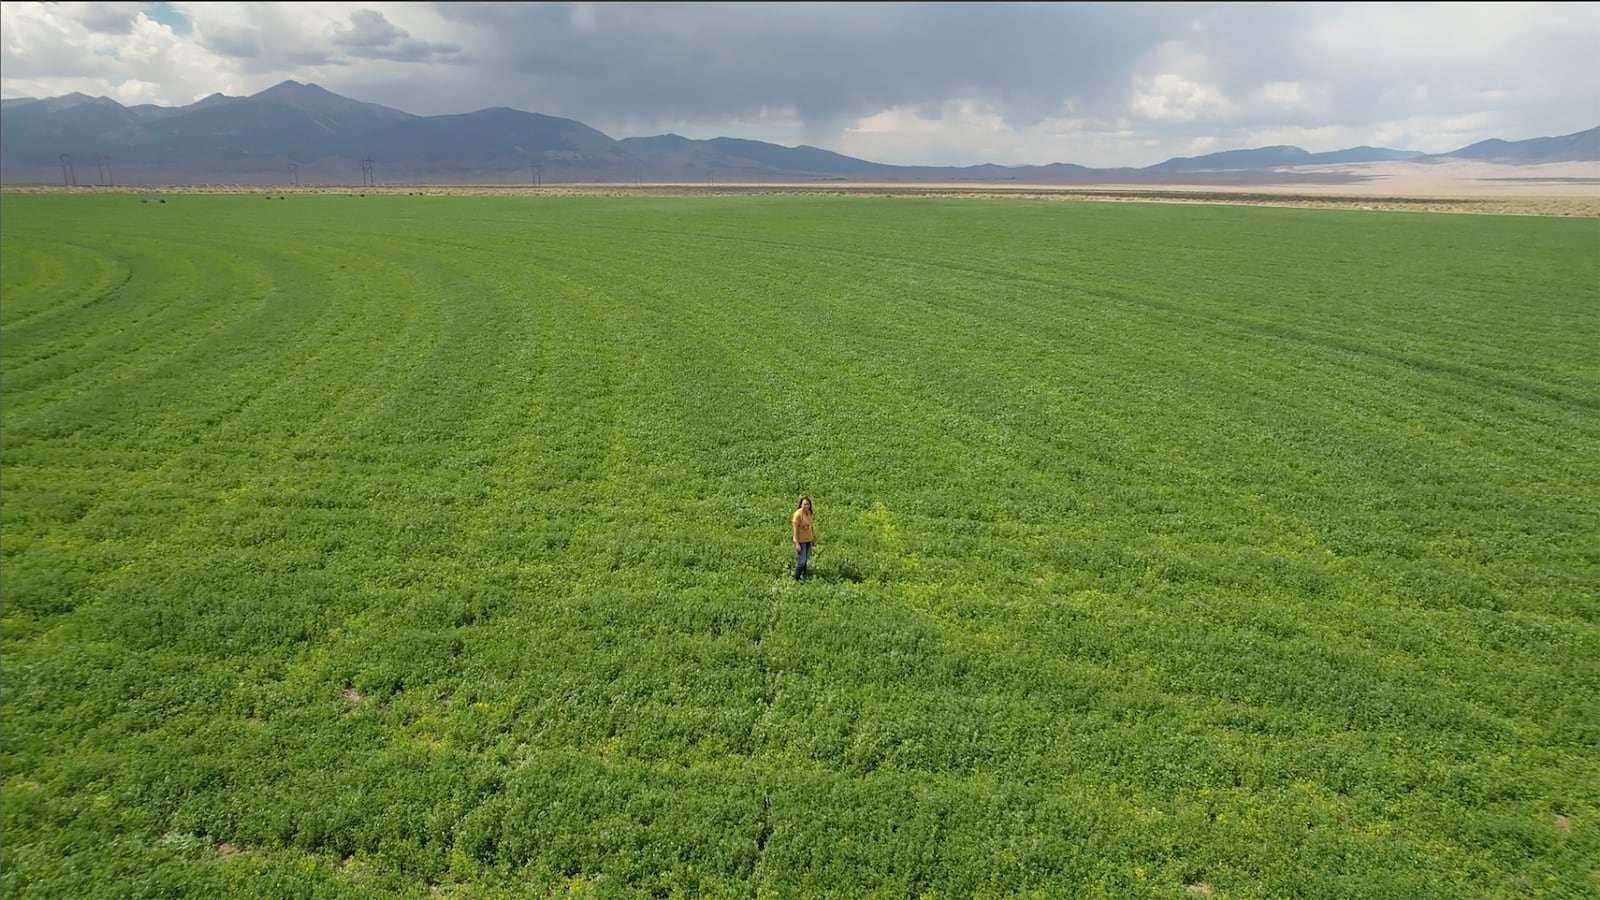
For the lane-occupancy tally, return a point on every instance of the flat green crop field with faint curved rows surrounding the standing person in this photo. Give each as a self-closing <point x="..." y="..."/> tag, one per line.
<point x="439" y="547"/>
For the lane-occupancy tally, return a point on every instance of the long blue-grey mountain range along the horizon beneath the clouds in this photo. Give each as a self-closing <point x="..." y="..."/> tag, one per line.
<point x="297" y="134"/>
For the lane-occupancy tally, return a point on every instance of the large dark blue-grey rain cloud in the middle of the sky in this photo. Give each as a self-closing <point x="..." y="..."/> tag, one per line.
<point x="830" y="62"/>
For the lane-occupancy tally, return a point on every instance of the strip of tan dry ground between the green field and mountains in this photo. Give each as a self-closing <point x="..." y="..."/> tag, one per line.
<point x="1554" y="190"/>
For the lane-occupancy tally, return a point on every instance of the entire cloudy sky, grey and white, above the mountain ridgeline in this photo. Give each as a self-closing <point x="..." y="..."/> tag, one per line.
<point x="910" y="84"/>
